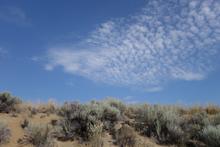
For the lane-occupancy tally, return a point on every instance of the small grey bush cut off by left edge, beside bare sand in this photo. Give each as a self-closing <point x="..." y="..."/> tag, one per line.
<point x="5" y="133"/>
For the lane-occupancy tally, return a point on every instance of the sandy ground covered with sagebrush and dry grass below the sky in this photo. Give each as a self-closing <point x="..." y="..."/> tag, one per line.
<point x="106" y="123"/>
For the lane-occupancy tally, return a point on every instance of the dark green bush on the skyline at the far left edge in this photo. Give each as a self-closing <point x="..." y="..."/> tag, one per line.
<point x="8" y="103"/>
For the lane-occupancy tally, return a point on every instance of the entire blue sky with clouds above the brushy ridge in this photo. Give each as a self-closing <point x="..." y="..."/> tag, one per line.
<point x="153" y="51"/>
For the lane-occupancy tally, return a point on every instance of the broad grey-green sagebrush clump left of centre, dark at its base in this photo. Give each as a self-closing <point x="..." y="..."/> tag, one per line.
<point x="84" y="120"/>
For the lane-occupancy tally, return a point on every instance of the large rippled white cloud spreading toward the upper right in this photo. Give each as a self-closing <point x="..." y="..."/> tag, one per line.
<point x="167" y="40"/>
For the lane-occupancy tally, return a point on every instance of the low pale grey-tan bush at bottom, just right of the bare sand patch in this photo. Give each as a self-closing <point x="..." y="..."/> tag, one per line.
<point x="38" y="135"/>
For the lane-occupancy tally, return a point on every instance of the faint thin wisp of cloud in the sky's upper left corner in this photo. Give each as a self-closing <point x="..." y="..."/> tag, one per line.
<point x="13" y="14"/>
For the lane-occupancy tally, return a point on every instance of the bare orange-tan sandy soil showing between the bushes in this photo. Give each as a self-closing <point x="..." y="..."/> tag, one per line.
<point x="14" y="123"/>
